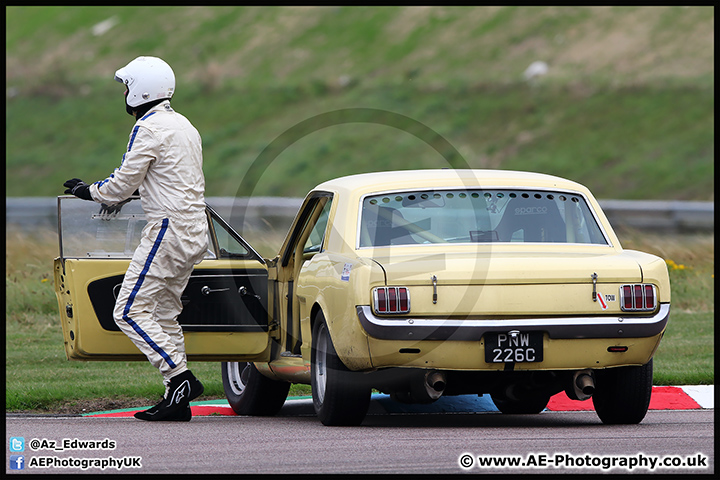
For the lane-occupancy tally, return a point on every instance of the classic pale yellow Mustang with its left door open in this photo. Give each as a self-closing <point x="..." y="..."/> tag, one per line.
<point x="416" y="283"/>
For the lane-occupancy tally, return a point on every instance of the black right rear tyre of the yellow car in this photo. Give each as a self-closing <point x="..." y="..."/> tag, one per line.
<point x="622" y="395"/>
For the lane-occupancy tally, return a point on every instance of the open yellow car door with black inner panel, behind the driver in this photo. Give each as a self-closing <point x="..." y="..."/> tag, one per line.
<point x="225" y="305"/>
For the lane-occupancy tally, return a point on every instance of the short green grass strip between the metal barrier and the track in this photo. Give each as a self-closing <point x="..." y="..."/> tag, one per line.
<point x="40" y="379"/>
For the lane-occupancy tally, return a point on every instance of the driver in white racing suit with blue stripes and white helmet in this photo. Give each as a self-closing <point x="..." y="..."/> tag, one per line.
<point x="163" y="164"/>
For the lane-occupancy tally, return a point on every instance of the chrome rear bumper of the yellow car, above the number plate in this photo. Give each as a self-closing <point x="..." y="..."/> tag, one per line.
<point x="416" y="329"/>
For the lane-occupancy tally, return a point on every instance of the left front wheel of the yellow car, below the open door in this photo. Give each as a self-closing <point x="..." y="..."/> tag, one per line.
<point x="249" y="392"/>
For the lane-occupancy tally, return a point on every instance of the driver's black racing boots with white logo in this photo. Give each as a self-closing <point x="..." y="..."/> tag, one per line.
<point x="176" y="407"/>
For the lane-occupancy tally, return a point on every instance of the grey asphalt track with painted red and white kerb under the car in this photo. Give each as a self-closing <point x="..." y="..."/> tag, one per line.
<point x="438" y="438"/>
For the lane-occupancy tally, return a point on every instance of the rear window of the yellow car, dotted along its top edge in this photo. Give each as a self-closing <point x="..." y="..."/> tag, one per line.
<point x="477" y="216"/>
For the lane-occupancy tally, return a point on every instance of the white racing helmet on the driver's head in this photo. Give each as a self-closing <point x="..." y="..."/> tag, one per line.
<point x="147" y="79"/>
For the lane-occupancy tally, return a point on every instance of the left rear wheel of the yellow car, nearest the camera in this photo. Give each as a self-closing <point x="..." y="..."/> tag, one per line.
<point x="339" y="396"/>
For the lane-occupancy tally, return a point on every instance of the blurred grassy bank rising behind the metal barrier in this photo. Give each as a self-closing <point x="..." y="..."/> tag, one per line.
<point x="627" y="103"/>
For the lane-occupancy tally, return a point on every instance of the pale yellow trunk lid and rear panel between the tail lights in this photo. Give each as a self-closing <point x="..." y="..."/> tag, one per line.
<point x="510" y="283"/>
